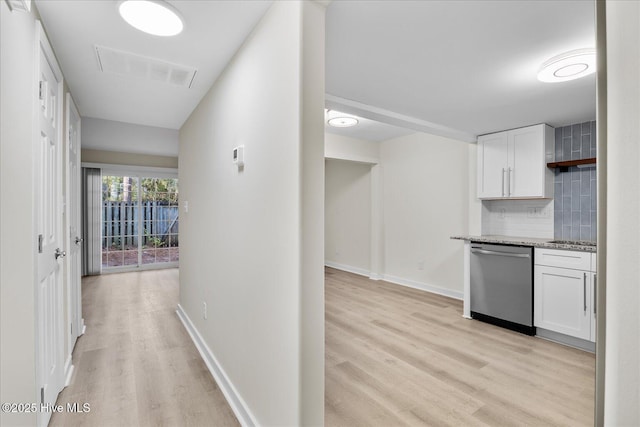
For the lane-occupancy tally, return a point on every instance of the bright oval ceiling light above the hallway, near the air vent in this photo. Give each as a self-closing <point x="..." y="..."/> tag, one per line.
<point x="152" y="16"/>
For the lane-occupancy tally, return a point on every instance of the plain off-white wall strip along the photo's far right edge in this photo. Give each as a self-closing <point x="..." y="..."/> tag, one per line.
<point x="622" y="364"/>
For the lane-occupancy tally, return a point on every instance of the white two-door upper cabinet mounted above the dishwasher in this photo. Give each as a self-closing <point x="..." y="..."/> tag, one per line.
<point x="513" y="164"/>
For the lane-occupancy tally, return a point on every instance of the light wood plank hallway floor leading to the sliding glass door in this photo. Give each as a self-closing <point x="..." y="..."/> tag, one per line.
<point x="136" y="364"/>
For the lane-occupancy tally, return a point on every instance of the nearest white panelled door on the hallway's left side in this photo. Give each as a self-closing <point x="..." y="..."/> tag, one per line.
<point x="49" y="315"/>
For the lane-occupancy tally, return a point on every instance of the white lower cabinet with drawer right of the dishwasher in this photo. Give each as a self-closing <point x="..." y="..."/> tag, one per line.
<point x="563" y="293"/>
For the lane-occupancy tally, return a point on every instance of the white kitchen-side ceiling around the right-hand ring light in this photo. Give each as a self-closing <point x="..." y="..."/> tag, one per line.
<point x="467" y="66"/>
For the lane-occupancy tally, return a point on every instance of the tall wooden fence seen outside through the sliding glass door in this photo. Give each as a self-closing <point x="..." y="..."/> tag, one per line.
<point x="120" y="224"/>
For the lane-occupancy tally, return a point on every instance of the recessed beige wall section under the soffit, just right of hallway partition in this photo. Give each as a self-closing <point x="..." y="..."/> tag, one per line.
<point x="348" y="215"/>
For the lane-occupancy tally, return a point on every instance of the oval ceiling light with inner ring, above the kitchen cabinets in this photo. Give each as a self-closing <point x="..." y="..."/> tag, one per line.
<point x="568" y="66"/>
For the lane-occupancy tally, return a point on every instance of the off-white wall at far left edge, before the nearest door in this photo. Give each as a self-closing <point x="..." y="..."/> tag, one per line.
<point x="17" y="245"/>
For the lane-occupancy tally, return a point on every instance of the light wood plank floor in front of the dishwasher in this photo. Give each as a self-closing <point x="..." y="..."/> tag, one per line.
<point x="398" y="356"/>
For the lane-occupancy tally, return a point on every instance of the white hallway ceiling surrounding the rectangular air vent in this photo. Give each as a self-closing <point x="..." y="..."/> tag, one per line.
<point x="213" y="32"/>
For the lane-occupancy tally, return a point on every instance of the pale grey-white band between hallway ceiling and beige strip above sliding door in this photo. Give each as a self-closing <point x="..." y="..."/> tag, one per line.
<point x="107" y="135"/>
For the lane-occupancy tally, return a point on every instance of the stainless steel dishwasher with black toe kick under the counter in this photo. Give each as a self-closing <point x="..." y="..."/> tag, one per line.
<point x="502" y="286"/>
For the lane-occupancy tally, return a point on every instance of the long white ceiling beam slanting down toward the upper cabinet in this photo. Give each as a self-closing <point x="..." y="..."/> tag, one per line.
<point x="374" y="113"/>
